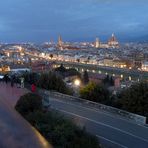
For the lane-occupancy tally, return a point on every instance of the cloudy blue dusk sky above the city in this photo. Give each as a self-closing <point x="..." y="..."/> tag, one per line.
<point x="75" y="20"/>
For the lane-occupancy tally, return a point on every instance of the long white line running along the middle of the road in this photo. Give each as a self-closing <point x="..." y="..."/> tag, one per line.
<point x="97" y="122"/>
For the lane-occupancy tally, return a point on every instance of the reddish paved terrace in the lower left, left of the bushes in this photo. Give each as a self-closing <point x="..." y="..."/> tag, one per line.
<point x="16" y="132"/>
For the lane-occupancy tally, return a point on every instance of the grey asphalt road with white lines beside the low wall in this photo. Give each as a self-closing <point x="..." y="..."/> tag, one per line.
<point x="112" y="130"/>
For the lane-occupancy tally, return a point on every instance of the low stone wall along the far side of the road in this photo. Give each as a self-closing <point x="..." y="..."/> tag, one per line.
<point x="130" y="116"/>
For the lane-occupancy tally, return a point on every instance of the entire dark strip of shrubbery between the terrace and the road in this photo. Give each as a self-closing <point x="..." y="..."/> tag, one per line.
<point x="59" y="131"/>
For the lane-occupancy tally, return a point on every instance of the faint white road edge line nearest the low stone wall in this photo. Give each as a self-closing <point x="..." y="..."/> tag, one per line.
<point x="98" y="111"/>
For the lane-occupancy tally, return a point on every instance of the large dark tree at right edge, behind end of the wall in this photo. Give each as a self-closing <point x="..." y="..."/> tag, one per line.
<point x="135" y="99"/>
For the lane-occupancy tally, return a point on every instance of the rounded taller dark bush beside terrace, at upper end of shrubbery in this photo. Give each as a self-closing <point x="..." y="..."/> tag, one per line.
<point x="28" y="103"/>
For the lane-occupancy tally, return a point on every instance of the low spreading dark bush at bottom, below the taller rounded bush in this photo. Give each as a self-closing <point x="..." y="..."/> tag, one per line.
<point x="60" y="132"/>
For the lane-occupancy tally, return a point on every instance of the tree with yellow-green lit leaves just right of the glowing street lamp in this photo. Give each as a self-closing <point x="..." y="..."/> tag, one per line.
<point x="95" y="92"/>
